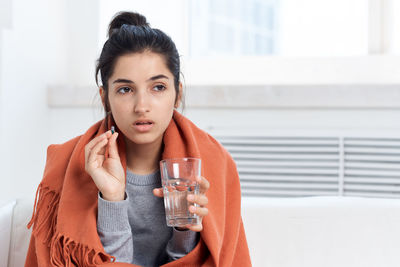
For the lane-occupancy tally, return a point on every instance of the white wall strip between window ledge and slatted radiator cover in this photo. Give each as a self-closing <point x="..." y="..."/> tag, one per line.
<point x="298" y="121"/>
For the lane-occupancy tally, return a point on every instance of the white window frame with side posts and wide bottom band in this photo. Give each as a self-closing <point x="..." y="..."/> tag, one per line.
<point x="378" y="67"/>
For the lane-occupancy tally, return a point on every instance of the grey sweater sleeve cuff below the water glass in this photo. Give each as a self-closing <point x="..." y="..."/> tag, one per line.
<point x="181" y="243"/>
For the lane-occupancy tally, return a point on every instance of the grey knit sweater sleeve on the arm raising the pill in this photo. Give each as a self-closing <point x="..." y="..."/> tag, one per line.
<point x="114" y="229"/>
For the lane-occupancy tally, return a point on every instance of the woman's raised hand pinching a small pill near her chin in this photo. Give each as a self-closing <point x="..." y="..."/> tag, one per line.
<point x="106" y="172"/>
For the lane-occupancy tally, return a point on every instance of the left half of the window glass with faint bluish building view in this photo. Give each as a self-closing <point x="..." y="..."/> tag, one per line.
<point x="233" y="27"/>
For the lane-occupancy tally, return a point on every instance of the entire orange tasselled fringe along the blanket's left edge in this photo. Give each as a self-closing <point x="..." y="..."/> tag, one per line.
<point x="63" y="250"/>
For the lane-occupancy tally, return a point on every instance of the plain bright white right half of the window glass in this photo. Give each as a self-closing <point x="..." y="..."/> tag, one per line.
<point x="323" y="28"/>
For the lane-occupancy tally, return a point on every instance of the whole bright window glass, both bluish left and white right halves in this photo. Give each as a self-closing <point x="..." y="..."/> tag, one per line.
<point x="278" y="27"/>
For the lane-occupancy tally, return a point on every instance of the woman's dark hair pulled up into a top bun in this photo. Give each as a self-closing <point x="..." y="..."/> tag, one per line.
<point x="129" y="32"/>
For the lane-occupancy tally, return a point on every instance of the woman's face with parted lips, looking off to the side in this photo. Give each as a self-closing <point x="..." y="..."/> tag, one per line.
<point x="142" y="97"/>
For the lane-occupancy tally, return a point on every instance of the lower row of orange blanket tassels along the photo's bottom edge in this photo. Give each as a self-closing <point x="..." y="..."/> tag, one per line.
<point x="65" y="252"/>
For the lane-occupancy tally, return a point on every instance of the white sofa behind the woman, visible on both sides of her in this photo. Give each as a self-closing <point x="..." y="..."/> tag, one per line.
<point x="281" y="232"/>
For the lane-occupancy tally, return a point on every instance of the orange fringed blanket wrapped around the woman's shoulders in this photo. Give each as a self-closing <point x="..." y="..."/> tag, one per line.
<point x="65" y="210"/>
